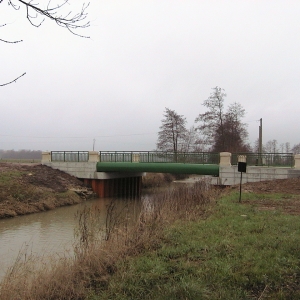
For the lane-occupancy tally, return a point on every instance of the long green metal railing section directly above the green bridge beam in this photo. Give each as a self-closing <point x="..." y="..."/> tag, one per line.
<point x="160" y="157"/>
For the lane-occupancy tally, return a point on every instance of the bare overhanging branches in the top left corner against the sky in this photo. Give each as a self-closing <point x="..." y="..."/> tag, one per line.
<point x="57" y="11"/>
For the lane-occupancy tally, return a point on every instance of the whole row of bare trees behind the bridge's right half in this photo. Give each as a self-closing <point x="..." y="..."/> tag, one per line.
<point x="218" y="129"/>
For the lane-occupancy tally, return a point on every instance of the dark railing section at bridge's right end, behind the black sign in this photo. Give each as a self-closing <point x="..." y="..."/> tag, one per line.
<point x="266" y="159"/>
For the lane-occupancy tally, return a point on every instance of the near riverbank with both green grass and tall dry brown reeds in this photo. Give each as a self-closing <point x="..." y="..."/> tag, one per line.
<point x="184" y="246"/>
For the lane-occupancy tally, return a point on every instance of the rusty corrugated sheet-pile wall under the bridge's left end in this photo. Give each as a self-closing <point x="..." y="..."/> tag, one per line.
<point x="128" y="186"/>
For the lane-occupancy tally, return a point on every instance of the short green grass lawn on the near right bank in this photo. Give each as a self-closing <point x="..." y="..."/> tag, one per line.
<point x="239" y="252"/>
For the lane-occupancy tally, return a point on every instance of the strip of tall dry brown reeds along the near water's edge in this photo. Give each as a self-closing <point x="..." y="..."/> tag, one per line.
<point x="95" y="260"/>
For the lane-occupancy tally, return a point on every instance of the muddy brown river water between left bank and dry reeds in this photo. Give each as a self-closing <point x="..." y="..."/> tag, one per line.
<point x="51" y="232"/>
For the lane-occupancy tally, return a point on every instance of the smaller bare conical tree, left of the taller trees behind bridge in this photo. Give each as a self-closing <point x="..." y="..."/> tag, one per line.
<point x="172" y="134"/>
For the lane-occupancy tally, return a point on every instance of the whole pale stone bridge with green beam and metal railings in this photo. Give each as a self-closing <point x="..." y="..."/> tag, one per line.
<point x="112" y="173"/>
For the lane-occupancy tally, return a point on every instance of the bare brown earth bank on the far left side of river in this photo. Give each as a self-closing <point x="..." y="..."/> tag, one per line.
<point x="30" y="188"/>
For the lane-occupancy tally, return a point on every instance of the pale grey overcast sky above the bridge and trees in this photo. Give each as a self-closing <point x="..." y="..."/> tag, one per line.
<point x="144" y="56"/>
